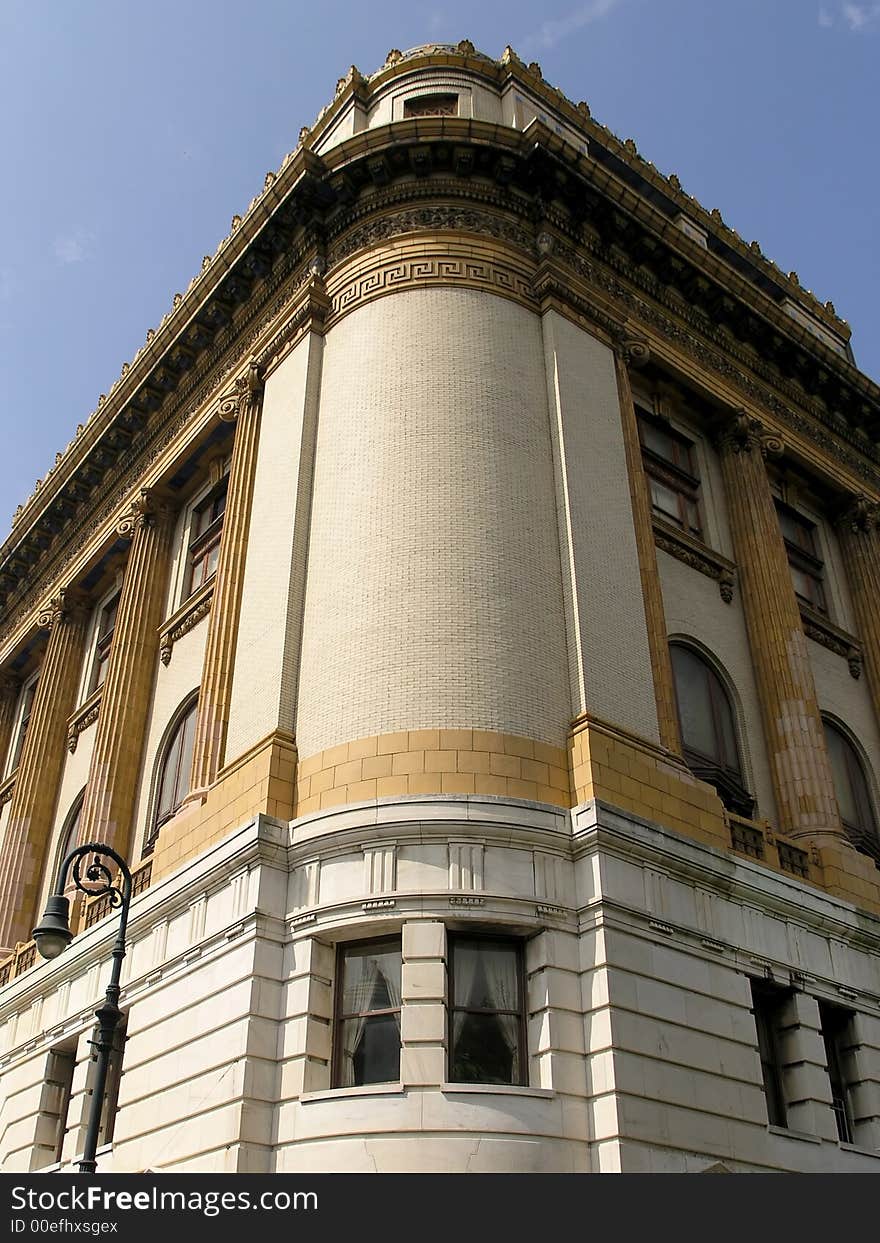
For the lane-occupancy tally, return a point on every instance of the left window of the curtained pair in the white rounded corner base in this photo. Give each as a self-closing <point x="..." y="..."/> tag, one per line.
<point x="369" y="1015"/>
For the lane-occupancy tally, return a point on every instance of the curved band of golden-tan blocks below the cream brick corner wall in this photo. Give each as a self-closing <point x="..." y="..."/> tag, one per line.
<point x="433" y="763"/>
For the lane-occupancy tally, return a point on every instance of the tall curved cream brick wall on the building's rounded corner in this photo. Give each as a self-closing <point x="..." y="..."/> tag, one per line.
<point x="433" y="594"/>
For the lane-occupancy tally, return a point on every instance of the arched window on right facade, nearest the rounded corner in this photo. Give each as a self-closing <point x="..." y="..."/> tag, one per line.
<point x="709" y="729"/>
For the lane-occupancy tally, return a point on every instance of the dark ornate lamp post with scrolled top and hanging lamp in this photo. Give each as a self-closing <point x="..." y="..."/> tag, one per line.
<point x="54" y="935"/>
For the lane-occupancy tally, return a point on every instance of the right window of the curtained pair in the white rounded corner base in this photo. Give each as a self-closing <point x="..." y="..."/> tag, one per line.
<point x="488" y="1012"/>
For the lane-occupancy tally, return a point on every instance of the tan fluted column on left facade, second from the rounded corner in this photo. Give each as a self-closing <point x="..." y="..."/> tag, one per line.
<point x="125" y="702"/>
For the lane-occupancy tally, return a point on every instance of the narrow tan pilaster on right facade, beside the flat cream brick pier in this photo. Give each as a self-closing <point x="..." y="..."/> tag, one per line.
<point x="656" y="616"/>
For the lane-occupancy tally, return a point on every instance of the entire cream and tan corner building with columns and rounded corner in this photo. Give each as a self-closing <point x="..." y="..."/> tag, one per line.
<point x="463" y="612"/>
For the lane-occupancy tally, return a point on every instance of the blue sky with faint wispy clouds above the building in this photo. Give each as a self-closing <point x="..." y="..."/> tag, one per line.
<point x="132" y="134"/>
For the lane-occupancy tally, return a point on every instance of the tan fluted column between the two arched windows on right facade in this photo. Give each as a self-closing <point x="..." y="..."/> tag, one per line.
<point x="802" y="776"/>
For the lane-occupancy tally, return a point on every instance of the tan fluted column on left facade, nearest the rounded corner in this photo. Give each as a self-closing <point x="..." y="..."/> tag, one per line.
<point x="217" y="679"/>
